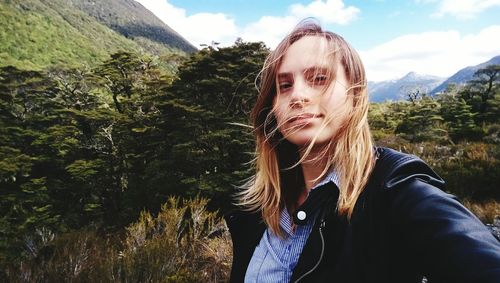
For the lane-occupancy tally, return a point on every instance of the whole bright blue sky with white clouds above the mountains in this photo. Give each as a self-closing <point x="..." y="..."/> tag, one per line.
<point x="432" y="37"/>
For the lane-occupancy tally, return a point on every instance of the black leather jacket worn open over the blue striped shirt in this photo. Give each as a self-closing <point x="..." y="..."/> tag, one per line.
<point x="404" y="228"/>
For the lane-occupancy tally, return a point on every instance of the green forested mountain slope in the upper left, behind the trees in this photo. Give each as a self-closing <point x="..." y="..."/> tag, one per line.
<point x="40" y="33"/>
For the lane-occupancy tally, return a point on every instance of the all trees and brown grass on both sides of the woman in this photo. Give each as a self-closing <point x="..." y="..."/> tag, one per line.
<point x="88" y="156"/>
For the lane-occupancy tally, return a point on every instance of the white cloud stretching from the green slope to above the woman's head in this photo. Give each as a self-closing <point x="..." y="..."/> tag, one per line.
<point x="207" y="27"/>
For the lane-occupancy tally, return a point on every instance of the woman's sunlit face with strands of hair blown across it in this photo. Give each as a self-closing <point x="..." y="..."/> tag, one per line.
<point x="310" y="104"/>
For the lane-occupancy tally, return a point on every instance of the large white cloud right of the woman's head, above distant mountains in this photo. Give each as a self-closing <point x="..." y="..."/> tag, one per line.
<point x="435" y="53"/>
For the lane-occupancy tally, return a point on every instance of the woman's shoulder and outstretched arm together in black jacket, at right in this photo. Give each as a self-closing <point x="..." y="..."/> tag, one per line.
<point x="455" y="244"/>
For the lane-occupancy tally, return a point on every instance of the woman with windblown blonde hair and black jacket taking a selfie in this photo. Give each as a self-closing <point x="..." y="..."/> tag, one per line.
<point x="324" y="204"/>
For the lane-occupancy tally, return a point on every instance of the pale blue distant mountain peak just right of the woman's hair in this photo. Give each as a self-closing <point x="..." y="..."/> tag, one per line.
<point x="398" y="89"/>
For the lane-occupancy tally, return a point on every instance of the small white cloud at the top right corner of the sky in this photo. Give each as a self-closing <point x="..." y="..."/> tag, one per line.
<point x="461" y="9"/>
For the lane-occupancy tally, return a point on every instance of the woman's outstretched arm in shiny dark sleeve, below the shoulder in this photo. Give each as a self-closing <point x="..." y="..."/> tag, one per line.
<point x="452" y="243"/>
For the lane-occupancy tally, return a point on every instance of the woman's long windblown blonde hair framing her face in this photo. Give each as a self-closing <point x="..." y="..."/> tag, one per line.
<point x="350" y="152"/>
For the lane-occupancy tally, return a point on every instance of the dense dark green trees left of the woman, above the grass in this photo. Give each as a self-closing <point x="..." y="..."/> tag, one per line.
<point x="97" y="146"/>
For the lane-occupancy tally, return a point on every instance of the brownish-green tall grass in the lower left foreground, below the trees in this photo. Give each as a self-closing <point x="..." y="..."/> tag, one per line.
<point x="183" y="243"/>
